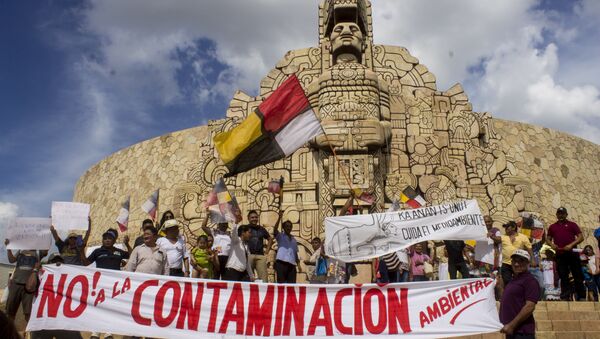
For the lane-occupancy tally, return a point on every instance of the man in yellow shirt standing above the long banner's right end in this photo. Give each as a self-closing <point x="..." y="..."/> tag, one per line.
<point x="511" y="242"/>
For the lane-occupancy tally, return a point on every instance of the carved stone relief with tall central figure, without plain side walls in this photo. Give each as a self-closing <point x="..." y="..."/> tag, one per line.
<point x="390" y="128"/>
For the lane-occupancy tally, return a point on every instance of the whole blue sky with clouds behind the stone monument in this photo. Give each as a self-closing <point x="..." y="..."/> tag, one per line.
<point x="80" y="80"/>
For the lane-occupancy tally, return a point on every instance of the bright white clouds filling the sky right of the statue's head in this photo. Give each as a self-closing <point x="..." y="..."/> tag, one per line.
<point x="514" y="48"/>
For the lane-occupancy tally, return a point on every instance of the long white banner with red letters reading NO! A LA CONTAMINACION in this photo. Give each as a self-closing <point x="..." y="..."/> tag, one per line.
<point x="86" y="299"/>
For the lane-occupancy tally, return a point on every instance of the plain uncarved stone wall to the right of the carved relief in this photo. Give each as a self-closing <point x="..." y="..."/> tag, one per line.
<point x="563" y="170"/>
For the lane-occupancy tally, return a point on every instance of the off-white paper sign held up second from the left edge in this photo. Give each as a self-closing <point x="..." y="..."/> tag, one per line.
<point x="68" y="216"/>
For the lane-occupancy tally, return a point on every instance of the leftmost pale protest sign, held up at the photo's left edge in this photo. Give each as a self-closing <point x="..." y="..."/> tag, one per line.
<point x="29" y="234"/>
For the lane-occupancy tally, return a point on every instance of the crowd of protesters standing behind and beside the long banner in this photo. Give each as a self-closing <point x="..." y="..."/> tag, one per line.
<point x="552" y="268"/>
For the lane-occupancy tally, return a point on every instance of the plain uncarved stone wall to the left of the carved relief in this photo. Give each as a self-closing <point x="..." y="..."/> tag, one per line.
<point x="137" y="171"/>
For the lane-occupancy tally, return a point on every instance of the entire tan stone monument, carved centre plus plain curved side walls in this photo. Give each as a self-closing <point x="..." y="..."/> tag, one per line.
<point x="389" y="126"/>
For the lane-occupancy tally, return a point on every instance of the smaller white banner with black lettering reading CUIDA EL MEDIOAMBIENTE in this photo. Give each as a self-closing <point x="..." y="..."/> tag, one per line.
<point x="360" y="237"/>
